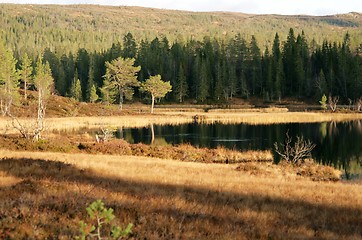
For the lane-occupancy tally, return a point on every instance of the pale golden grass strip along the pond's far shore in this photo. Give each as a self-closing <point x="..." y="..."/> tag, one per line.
<point x="272" y="116"/>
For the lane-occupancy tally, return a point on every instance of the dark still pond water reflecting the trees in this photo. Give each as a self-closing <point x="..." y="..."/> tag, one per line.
<point x="337" y="144"/>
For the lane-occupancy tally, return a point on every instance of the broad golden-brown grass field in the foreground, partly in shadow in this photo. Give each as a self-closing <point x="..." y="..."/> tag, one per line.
<point x="172" y="200"/>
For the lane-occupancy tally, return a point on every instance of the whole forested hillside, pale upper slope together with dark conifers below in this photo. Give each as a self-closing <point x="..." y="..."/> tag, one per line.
<point x="207" y="57"/>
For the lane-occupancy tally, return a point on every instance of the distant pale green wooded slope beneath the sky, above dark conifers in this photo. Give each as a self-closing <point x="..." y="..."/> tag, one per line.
<point x="69" y="27"/>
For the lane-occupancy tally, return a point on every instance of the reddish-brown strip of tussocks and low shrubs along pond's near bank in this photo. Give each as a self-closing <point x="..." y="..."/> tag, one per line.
<point x="183" y="152"/>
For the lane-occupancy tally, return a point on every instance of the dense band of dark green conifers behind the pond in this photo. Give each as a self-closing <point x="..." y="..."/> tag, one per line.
<point x="216" y="71"/>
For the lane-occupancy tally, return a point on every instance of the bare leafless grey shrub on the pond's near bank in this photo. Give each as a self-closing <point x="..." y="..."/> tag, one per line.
<point x="296" y="152"/>
